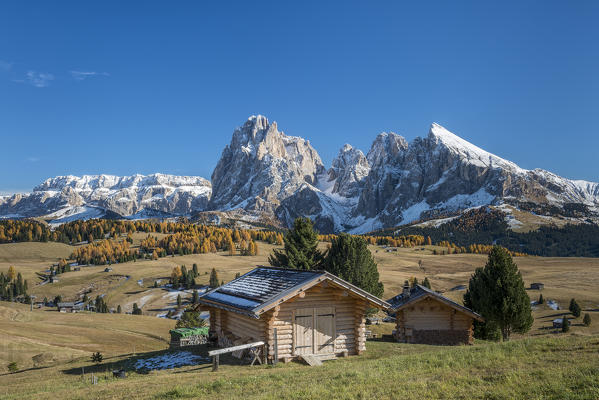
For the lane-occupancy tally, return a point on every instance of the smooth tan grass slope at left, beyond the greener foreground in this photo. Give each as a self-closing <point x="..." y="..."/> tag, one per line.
<point x="43" y="337"/>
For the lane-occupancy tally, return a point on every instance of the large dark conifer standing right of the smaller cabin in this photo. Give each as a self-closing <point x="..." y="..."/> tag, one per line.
<point x="497" y="293"/>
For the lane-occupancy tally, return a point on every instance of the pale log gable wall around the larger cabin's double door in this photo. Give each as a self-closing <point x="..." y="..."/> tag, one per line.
<point x="349" y="321"/>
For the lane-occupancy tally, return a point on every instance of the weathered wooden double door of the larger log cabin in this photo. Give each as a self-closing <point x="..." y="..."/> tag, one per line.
<point x="314" y="331"/>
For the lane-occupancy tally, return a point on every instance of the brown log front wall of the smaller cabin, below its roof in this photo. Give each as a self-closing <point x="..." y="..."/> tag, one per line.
<point x="430" y="321"/>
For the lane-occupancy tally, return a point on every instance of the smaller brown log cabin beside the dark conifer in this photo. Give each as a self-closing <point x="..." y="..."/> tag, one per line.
<point x="425" y="316"/>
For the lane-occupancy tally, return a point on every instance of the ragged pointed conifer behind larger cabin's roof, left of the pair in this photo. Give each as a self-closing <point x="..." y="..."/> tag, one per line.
<point x="300" y="248"/>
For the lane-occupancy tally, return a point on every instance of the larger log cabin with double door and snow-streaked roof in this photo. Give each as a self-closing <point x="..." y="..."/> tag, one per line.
<point x="295" y="312"/>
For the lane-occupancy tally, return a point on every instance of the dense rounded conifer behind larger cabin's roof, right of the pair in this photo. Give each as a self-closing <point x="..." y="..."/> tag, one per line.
<point x="350" y="259"/>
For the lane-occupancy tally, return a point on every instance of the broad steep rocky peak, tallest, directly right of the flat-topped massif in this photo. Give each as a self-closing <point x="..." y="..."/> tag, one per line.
<point x="262" y="167"/>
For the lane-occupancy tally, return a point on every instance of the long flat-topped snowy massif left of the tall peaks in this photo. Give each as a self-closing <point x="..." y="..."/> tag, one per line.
<point x="71" y="196"/>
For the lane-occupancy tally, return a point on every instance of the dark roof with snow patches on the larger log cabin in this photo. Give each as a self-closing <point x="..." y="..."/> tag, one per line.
<point x="264" y="287"/>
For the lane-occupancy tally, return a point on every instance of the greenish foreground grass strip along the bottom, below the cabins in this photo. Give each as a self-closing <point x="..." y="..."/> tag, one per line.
<point x="544" y="368"/>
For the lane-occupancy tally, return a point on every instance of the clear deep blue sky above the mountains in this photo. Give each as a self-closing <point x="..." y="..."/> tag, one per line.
<point x="142" y="87"/>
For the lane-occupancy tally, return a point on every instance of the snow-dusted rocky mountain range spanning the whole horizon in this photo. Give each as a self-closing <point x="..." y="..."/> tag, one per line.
<point x="264" y="174"/>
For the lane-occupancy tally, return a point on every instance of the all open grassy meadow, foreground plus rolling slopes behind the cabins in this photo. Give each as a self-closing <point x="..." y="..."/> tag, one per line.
<point x="51" y="348"/>
